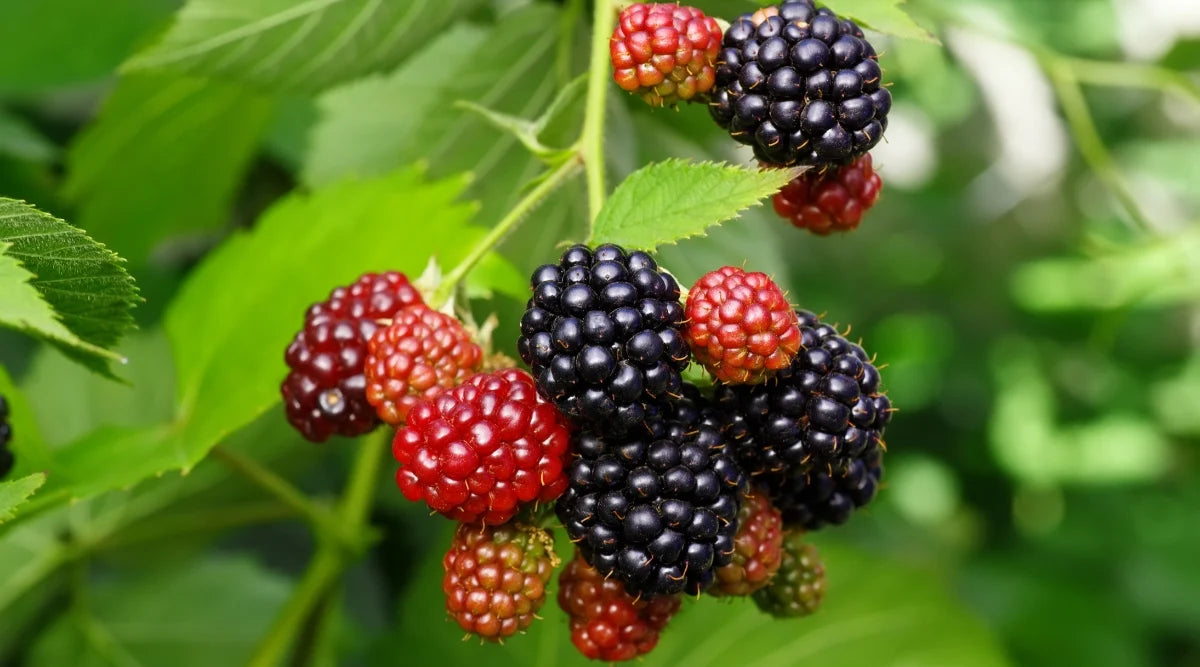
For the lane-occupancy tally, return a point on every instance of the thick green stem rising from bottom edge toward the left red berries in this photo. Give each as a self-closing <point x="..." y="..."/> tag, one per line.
<point x="333" y="556"/>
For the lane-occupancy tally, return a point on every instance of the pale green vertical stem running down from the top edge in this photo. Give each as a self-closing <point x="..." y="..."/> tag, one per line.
<point x="592" y="142"/>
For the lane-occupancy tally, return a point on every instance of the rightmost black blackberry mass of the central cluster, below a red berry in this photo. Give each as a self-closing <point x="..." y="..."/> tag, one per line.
<point x="813" y="435"/>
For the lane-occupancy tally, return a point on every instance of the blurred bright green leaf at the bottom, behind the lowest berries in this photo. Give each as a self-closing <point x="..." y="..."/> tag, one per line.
<point x="877" y="612"/>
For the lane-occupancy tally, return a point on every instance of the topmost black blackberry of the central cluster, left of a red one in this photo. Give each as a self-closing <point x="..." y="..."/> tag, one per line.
<point x="603" y="336"/>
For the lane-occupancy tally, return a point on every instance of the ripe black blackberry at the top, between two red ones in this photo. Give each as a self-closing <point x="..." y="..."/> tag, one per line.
<point x="800" y="86"/>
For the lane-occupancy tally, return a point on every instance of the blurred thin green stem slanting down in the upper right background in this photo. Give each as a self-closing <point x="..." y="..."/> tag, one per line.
<point x="1088" y="139"/>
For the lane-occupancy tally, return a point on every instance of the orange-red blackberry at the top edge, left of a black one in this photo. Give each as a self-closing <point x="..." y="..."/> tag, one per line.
<point x="664" y="53"/>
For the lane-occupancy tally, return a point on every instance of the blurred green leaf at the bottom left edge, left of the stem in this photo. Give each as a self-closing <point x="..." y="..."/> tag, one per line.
<point x="169" y="617"/>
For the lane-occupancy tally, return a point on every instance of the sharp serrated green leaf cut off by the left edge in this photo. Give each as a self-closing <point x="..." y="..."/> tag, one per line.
<point x="62" y="285"/>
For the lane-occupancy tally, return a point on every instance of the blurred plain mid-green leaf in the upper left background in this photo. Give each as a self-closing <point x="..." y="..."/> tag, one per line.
<point x="165" y="158"/>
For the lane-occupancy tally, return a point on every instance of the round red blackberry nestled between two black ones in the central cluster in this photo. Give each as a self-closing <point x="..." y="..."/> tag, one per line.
<point x="740" y="326"/>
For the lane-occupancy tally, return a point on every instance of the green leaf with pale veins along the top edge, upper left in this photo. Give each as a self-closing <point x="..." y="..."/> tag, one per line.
<point x="285" y="45"/>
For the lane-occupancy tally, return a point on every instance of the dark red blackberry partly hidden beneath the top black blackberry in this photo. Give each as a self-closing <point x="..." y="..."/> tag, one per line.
<point x="833" y="200"/>
